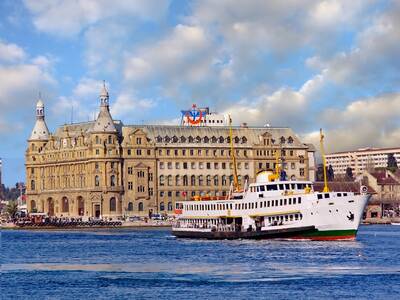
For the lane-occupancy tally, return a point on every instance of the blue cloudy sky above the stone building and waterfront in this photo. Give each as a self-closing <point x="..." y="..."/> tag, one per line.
<point x="298" y="63"/>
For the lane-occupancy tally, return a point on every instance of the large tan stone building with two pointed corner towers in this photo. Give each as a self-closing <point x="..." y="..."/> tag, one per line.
<point x="104" y="168"/>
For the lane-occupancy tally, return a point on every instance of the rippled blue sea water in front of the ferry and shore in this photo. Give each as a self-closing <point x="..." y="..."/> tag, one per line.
<point x="152" y="264"/>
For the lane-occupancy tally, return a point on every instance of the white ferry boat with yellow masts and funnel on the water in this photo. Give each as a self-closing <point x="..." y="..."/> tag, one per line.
<point x="273" y="208"/>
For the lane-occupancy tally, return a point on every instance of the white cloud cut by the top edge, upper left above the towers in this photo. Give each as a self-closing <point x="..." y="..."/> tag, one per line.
<point x="70" y="17"/>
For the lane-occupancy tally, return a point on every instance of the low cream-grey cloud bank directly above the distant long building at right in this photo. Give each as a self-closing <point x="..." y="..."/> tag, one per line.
<point x="371" y="122"/>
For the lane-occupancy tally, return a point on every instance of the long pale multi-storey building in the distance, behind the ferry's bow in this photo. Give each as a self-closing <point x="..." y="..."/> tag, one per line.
<point x="360" y="160"/>
